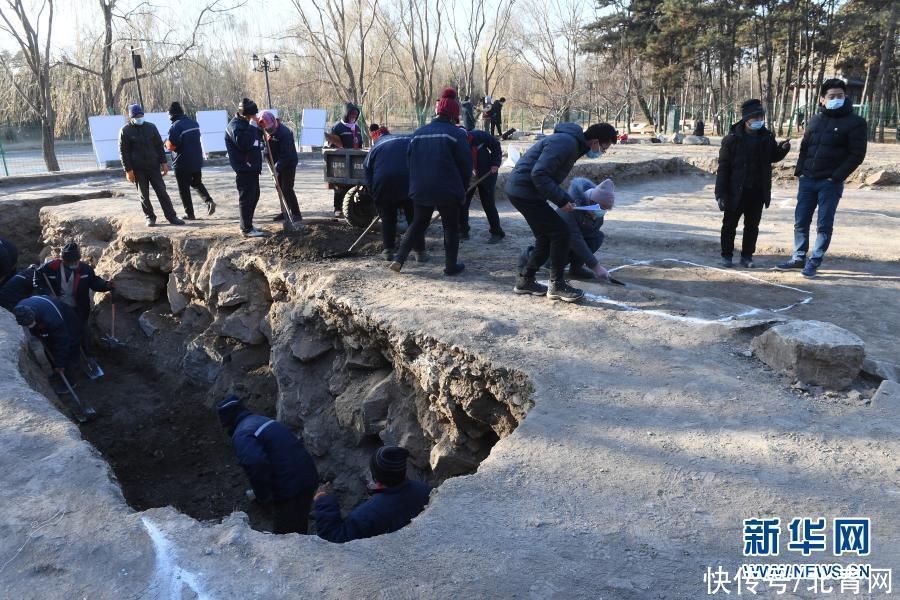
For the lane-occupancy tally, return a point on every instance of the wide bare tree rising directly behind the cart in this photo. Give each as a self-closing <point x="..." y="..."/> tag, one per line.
<point x="339" y="35"/>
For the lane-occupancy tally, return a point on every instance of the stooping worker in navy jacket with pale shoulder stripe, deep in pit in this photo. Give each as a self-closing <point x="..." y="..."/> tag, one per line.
<point x="281" y="472"/>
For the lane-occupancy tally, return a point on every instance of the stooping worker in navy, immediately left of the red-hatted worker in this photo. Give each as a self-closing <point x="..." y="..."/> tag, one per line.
<point x="387" y="177"/>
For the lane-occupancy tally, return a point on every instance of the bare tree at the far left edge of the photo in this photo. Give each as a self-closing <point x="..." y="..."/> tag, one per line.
<point x="25" y="30"/>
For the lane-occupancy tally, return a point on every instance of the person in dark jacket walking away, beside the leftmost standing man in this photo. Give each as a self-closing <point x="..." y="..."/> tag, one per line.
<point x="187" y="159"/>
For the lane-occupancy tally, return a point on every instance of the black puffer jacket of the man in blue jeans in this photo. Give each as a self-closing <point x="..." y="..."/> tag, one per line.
<point x="833" y="145"/>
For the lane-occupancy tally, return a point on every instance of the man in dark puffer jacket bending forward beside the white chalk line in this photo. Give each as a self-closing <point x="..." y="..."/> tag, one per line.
<point x="535" y="179"/>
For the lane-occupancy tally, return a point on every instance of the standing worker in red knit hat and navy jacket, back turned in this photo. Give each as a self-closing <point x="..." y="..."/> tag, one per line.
<point x="440" y="166"/>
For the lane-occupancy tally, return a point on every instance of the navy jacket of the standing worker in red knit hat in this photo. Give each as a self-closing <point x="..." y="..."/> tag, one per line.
<point x="440" y="164"/>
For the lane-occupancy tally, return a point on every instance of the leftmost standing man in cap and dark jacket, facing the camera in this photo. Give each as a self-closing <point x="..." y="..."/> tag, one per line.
<point x="144" y="160"/>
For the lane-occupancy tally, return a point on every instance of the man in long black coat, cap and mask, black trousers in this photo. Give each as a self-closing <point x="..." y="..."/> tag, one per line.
<point x="744" y="179"/>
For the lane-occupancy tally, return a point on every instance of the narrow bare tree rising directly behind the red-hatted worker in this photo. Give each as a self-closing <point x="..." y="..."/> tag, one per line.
<point x="414" y="42"/>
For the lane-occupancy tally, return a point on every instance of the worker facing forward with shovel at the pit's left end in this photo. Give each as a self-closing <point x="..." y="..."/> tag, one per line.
<point x="71" y="281"/>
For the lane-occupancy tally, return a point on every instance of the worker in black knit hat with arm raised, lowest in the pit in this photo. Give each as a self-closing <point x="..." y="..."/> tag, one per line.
<point x="395" y="501"/>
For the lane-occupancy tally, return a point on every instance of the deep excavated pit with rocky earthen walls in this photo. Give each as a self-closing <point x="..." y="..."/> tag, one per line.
<point x="343" y="388"/>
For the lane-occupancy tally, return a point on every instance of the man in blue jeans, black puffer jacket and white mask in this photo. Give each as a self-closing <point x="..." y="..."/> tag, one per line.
<point x="833" y="146"/>
